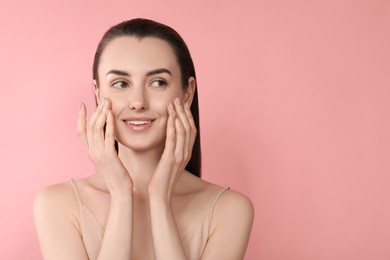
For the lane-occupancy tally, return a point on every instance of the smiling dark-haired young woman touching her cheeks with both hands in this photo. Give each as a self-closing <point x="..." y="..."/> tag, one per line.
<point x="146" y="200"/>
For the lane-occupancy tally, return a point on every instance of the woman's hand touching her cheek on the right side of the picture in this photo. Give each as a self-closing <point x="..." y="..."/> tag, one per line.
<point x="180" y="139"/>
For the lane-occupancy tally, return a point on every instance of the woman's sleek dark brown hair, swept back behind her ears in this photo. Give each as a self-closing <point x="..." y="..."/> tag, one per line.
<point x="147" y="28"/>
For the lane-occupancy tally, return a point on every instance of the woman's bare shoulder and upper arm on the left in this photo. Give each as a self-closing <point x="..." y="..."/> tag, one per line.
<point x="56" y="216"/>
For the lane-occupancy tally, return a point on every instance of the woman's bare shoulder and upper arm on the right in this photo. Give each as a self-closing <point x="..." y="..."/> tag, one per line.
<point x="231" y="223"/>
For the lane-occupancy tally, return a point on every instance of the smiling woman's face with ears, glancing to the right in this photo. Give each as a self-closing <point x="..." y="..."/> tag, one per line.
<point x="140" y="77"/>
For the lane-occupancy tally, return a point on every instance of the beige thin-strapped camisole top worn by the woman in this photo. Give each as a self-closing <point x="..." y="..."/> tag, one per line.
<point x="194" y="239"/>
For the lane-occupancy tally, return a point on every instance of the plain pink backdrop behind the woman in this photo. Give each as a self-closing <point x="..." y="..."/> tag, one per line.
<point x="295" y="109"/>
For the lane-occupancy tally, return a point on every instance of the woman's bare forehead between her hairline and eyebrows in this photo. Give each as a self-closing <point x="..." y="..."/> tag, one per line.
<point x="138" y="55"/>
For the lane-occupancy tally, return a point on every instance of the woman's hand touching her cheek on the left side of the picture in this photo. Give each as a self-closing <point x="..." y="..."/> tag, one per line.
<point x="101" y="147"/>
